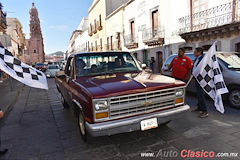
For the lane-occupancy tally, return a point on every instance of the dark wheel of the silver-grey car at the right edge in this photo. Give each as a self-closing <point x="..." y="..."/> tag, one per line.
<point x="234" y="97"/>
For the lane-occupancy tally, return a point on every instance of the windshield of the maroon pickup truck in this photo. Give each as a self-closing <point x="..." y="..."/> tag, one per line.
<point x="105" y="63"/>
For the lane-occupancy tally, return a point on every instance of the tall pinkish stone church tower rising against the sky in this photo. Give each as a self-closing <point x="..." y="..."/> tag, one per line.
<point x="35" y="47"/>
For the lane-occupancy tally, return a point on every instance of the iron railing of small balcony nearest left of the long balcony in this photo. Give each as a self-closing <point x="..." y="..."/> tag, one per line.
<point x="153" y="33"/>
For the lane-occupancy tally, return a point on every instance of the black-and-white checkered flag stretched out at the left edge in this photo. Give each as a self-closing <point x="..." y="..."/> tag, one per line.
<point x="21" y="71"/>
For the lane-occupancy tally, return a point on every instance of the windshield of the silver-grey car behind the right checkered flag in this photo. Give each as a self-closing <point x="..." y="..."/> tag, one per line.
<point x="230" y="60"/>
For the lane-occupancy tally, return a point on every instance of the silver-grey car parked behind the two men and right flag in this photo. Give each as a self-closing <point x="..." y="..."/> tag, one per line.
<point x="229" y="63"/>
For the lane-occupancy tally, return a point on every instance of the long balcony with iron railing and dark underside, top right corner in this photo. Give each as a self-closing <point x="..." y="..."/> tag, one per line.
<point x="215" y="22"/>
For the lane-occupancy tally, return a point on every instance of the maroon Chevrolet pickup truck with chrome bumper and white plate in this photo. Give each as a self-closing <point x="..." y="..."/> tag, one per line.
<point x="110" y="93"/>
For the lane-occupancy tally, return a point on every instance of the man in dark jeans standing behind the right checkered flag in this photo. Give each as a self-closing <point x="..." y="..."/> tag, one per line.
<point x="202" y="108"/>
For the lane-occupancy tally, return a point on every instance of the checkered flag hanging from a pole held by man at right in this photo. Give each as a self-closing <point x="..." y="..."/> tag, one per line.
<point x="210" y="78"/>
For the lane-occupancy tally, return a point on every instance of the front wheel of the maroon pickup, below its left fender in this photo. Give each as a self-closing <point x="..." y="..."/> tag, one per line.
<point x="82" y="128"/>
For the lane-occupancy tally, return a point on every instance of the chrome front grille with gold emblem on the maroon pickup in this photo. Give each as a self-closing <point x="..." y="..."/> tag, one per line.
<point x="129" y="105"/>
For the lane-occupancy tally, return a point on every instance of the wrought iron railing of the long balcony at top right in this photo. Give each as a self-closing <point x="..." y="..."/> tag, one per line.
<point x="213" y="17"/>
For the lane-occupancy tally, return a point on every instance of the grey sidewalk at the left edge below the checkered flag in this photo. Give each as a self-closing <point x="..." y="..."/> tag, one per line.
<point x="9" y="94"/>
